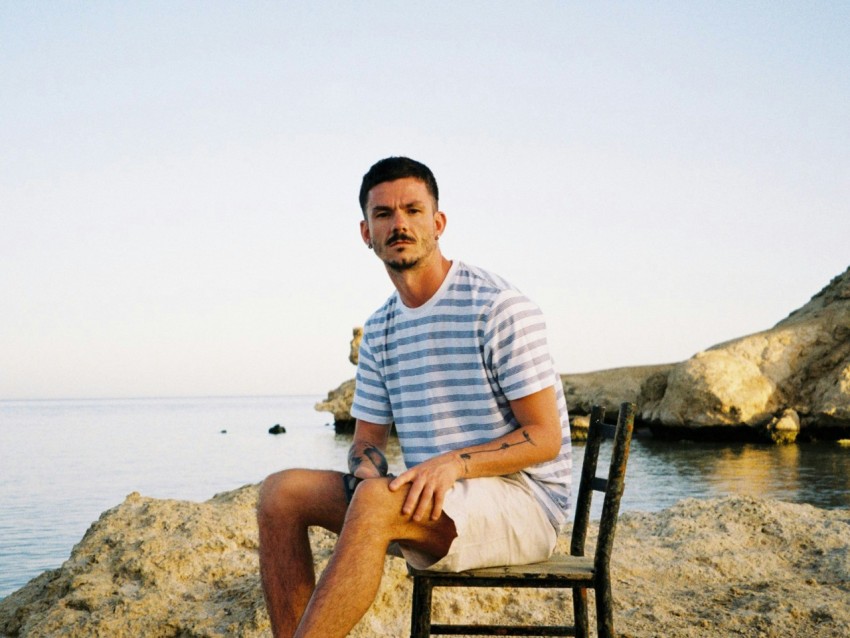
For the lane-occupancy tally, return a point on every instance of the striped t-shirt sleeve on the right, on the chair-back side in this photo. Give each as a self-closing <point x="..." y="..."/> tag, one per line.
<point x="516" y="347"/>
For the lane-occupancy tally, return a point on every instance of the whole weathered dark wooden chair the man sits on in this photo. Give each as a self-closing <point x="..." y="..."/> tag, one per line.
<point x="576" y="571"/>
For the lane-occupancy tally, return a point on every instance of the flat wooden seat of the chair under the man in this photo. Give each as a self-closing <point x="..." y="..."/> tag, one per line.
<point x="568" y="570"/>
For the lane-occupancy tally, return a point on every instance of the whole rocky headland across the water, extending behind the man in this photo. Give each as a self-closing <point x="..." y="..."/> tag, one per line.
<point x="789" y="382"/>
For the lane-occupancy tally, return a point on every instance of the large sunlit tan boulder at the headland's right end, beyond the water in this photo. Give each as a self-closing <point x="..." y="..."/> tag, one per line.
<point x="802" y="364"/>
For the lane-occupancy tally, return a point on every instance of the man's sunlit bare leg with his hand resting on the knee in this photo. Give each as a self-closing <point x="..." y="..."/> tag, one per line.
<point x="350" y="582"/>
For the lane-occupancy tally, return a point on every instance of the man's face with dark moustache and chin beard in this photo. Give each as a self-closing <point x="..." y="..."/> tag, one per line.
<point x="402" y="223"/>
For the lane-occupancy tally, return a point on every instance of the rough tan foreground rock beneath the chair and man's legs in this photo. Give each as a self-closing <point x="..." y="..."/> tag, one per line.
<point x="733" y="566"/>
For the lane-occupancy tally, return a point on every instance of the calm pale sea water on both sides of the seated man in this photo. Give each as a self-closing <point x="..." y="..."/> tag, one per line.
<point x="62" y="463"/>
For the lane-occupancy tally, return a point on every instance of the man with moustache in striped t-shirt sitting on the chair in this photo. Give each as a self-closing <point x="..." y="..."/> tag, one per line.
<point x="458" y="360"/>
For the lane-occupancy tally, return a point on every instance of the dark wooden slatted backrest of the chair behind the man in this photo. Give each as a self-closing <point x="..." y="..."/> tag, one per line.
<point x="612" y="486"/>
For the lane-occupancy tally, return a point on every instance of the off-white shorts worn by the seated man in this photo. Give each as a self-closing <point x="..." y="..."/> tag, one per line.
<point x="498" y="522"/>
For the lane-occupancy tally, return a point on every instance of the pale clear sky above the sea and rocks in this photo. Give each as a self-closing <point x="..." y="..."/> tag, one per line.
<point x="178" y="180"/>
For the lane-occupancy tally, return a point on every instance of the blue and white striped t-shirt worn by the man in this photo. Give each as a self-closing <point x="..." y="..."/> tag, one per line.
<point x="445" y="372"/>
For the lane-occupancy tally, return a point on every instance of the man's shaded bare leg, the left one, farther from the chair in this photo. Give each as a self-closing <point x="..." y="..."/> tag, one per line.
<point x="290" y="502"/>
